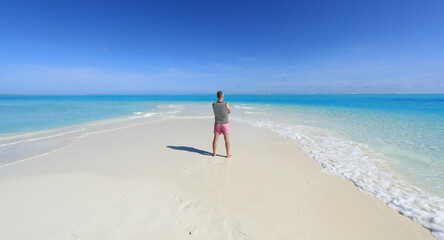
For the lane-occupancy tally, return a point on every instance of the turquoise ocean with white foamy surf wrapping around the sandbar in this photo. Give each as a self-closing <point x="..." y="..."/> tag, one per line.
<point x="390" y="146"/>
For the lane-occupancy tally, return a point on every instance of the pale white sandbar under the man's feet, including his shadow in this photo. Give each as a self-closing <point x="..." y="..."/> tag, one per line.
<point x="158" y="180"/>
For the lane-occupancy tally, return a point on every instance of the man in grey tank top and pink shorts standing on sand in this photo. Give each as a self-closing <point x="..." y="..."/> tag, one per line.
<point x="221" y="125"/>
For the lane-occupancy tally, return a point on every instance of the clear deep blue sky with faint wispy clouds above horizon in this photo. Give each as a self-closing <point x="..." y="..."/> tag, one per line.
<point x="123" y="47"/>
